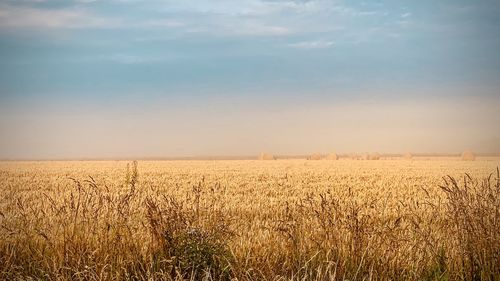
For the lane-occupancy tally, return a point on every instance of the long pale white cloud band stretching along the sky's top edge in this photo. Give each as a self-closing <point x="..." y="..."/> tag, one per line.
<point x="224" y="18"/>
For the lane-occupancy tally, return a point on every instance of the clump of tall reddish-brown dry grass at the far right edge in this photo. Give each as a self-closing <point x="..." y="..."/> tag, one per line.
<point x="473" y="213"/>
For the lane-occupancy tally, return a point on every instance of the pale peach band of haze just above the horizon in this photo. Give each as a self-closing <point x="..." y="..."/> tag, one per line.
<point x="235" y="127"/>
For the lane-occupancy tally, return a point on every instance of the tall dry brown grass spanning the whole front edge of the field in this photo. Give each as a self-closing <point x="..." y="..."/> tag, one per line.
<point x="94" y="230"/>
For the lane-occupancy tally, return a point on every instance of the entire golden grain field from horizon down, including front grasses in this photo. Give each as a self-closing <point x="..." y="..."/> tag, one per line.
<point x="250" y="220"/>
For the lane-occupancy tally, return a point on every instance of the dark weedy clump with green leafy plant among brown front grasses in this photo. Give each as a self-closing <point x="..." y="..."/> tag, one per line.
<point x="191" y="239"/>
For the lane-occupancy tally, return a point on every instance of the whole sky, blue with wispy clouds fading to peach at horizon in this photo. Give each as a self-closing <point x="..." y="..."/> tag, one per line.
<point x="151" y="78"/>
